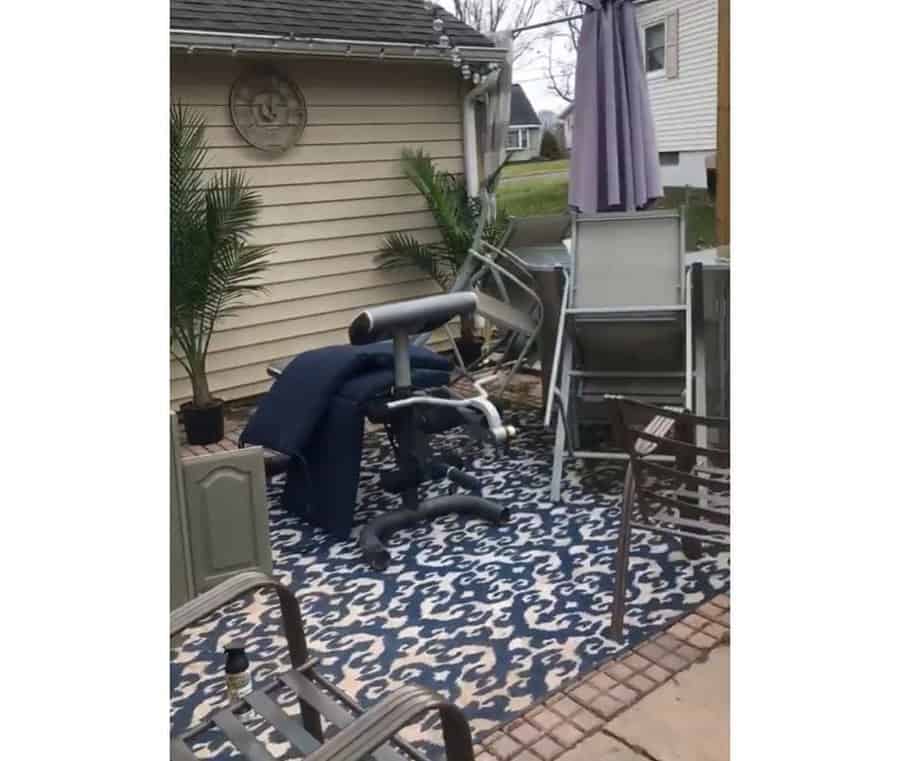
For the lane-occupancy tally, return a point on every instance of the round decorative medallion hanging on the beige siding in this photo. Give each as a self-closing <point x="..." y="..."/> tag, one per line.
<point x="268" y="110"/>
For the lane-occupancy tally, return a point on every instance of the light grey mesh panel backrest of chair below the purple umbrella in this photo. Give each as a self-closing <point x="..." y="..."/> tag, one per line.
<point x="632" y="259"/>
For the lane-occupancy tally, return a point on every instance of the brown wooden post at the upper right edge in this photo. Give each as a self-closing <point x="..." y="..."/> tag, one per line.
<point x="723" y="128"/>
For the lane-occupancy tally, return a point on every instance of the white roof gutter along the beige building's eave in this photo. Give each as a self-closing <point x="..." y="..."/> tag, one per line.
<point x="192" y="41"/>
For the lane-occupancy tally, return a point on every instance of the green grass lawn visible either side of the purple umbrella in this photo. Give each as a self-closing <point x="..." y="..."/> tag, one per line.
<point x="551" y="196"/>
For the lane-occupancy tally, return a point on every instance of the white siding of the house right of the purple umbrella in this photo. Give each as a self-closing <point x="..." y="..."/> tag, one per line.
<point x="684" y="107"/>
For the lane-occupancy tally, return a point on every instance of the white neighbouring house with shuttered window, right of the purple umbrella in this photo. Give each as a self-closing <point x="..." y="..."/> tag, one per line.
<point x="679" y="38"/>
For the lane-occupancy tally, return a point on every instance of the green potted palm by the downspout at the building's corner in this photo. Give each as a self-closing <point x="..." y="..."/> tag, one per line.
<point x="458" y="217"/>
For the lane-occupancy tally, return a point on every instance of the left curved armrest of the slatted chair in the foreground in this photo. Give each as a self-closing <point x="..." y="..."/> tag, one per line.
<point x="222" y="594"/>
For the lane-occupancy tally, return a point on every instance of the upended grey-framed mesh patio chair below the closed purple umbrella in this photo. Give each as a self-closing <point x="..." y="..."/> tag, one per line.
<point x="625" y="326"/>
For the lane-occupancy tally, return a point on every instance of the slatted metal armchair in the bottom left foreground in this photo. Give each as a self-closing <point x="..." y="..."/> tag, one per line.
<point x="362" y="734"/>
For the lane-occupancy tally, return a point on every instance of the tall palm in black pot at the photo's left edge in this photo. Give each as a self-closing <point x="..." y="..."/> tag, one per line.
<point x="212" y="265"/>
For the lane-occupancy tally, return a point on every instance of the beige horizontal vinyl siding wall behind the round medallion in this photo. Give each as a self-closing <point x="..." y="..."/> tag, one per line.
<point x="327" y="203"/>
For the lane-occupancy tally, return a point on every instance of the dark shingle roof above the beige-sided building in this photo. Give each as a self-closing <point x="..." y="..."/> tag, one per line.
<point x="402" y="21"/>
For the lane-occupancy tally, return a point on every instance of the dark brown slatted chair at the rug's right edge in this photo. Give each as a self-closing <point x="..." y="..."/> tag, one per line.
<point x="689" y="499"/>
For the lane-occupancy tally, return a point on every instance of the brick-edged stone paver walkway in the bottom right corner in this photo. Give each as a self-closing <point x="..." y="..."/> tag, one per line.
<point x="666" y="700"/>
